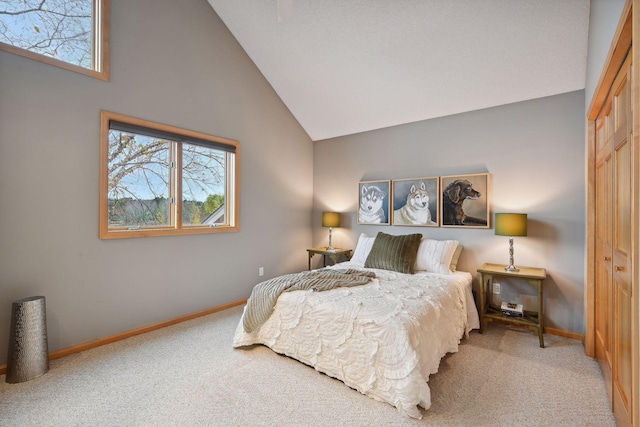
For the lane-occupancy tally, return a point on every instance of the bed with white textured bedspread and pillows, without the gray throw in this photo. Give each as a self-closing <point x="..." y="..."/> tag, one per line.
<point x="383" y="338"/>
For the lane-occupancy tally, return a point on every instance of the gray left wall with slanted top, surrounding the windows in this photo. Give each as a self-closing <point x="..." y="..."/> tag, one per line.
<point x="172" y="62"/>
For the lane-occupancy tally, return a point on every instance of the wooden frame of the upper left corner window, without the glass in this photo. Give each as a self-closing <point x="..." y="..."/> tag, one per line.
<point x="100" y="57"/>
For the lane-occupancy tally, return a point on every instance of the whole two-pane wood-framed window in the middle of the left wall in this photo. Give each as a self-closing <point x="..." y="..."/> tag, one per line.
<point x="160" y="180"/>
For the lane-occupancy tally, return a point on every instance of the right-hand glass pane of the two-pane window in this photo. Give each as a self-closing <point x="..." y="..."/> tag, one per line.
<point x="203" y="185"/>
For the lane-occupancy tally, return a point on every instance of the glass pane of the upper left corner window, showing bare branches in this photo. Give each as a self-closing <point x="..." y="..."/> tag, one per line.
<point x="60" y="29"/>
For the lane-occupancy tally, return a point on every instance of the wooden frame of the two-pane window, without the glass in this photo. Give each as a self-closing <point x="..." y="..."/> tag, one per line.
<point x="232" y="182"/>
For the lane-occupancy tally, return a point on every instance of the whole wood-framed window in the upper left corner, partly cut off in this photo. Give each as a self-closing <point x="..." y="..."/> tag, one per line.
<point x="70" y="34"/>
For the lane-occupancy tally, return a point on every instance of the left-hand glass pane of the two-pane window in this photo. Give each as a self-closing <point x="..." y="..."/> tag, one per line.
<point x="138" y="180"/>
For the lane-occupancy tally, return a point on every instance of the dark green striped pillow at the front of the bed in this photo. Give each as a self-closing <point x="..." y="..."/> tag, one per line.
<point x="395" y="253"/>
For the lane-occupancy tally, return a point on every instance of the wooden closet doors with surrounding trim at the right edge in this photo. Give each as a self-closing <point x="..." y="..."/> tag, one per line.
<point x="613" y="221"/>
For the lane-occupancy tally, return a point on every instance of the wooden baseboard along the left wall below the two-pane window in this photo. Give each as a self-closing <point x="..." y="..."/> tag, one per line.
<point x="133" y="332"/>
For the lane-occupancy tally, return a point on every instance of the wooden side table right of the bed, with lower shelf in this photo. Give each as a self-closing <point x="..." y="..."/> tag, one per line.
<point x="531" y="319"/>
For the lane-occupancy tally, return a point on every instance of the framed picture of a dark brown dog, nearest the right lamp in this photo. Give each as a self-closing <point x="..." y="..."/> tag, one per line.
<point x="465" y="201"/>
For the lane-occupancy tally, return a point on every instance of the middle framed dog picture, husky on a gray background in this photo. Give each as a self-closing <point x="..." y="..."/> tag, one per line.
<point x="415" y="202"/>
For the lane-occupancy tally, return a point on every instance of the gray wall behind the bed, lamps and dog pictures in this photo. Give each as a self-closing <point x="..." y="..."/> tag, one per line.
<point x="534" y="152"/>
